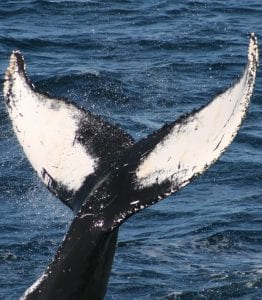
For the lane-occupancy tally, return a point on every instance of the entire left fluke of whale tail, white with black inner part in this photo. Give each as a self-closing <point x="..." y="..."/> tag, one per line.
<point x="64" y="143"/>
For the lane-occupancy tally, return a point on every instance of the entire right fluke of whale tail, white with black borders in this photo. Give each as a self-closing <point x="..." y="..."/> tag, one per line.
<point x="173" y="156"/>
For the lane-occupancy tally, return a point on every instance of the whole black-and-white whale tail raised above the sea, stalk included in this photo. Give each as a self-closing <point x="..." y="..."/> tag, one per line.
<point x="104" y="177"/>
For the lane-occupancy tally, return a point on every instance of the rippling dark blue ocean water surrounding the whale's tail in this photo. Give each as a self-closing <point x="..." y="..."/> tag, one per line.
<point x="140" y="64"/>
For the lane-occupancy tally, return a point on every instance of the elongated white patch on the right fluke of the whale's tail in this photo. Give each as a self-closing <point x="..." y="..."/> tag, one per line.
<point x="195" y="143"/>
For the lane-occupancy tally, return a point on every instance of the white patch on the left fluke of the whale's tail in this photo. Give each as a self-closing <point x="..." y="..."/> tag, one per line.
<point x="46" y="128"/>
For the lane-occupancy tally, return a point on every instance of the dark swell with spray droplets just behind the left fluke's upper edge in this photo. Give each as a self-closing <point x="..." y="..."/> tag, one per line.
<point x="99" y="92"/>
